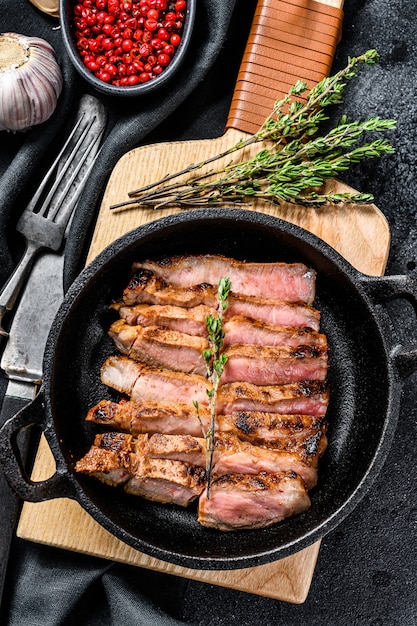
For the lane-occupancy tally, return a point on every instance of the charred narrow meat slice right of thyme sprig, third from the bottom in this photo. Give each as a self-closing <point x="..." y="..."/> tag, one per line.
<point x="275" y="430"/>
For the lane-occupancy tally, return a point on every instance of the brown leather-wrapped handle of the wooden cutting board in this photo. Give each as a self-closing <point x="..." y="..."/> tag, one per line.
<point x="289" y="40"/>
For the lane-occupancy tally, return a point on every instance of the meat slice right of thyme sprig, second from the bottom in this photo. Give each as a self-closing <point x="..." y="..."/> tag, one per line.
<point x="232" y="456"/>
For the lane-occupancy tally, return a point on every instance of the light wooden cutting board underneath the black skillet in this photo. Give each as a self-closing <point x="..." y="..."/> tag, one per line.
<point x="359" y="233"/>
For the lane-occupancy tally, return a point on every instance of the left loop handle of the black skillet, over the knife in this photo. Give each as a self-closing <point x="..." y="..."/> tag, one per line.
<point x="58" y="485"/>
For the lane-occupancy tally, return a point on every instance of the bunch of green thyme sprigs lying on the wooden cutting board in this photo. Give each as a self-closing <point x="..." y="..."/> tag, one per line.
<point x="294" y="165"/>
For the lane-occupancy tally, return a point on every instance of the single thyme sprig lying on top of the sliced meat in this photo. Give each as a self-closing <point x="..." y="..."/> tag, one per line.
<point x="215" y="361"/>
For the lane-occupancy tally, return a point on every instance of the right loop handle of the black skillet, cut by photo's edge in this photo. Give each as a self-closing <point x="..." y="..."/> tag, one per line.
<point x="383" y="289"/>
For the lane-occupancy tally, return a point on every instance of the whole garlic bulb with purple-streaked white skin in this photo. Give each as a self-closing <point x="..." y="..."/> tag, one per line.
<point x="30" y="81"/>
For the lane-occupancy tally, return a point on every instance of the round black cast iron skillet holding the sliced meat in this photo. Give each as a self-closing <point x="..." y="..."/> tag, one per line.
<point x="366" y="374"/>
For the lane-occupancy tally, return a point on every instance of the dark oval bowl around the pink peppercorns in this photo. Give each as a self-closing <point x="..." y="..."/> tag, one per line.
<point x="67" y="29"/>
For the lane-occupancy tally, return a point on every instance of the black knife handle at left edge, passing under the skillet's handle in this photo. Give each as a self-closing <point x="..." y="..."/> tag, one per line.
<point x="10" y="503"/>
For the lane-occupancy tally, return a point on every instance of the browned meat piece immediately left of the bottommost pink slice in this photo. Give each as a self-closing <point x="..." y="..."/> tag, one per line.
<point x="166" y="481"/>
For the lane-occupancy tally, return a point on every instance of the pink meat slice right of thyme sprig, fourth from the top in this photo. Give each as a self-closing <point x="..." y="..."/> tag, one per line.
<point x="265" y="365"/>
